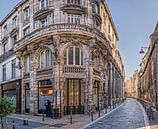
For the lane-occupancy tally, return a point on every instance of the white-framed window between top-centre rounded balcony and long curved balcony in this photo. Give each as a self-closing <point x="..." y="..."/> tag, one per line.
<point x="76" y="19"/>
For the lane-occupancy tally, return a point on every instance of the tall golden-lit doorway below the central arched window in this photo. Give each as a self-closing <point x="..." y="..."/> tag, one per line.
<point x="73" y="97"/>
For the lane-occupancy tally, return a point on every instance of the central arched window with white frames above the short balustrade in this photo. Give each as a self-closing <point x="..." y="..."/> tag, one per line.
<point x="73" y="56"/>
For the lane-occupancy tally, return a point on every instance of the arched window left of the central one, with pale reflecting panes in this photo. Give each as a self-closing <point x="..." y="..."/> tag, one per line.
<point x="45" y="59"/>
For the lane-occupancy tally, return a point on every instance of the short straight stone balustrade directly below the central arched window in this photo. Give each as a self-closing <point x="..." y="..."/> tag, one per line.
<point x="73" y="69"/>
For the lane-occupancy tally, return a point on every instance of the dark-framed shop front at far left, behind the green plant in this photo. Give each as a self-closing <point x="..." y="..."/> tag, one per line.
<point x="13" y="90"/>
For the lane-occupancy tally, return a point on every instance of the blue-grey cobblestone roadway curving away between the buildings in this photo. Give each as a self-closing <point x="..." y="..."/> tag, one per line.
<point x="128" y="116"/>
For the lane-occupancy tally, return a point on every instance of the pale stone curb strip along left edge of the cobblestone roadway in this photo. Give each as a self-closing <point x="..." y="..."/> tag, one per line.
<point x="102" y="116"/>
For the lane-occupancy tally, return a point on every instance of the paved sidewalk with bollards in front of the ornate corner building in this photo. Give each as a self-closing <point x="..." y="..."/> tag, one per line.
<point x="63" y="123"/>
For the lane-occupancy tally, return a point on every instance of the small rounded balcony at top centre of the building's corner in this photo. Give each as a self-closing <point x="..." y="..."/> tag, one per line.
<point x="73" y="8"/>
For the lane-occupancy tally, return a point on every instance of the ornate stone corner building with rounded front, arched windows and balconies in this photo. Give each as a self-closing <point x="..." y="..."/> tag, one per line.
<point x="67" y="52"/>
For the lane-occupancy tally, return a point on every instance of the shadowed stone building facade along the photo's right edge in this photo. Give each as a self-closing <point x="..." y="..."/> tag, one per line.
<point x="148" y="74"/>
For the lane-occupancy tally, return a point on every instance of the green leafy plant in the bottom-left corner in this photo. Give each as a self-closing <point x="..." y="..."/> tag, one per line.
<point x="6" y="108"/>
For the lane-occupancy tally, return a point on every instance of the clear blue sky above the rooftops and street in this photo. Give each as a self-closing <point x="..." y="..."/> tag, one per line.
<point x="135" y="20"/>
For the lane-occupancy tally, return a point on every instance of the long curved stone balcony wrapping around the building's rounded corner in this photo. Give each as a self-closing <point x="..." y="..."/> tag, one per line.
<point x="61" y="28"/>
